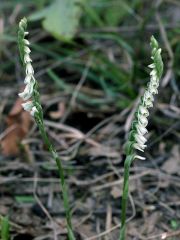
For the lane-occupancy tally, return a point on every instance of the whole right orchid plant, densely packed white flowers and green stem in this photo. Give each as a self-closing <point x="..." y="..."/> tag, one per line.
<point x="136" y="139"/>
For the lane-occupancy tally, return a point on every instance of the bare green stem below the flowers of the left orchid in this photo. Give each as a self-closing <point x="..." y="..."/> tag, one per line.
<point x="55" y="156"/>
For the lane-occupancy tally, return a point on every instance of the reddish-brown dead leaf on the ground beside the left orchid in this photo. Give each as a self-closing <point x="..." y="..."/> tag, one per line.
<point x="18" y="123"/>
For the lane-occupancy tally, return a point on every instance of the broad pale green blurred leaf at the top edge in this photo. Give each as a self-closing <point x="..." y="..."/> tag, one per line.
<point x="61" y="18"/>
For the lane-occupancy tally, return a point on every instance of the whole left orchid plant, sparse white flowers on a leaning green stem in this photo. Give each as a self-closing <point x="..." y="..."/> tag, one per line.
<point x="33" y="105"/>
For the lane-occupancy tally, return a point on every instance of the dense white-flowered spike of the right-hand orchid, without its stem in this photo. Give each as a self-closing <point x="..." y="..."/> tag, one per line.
<point x="137" y="140"/>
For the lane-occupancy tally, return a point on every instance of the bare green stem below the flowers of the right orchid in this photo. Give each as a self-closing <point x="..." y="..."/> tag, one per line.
<point x="129" y="159"/>
